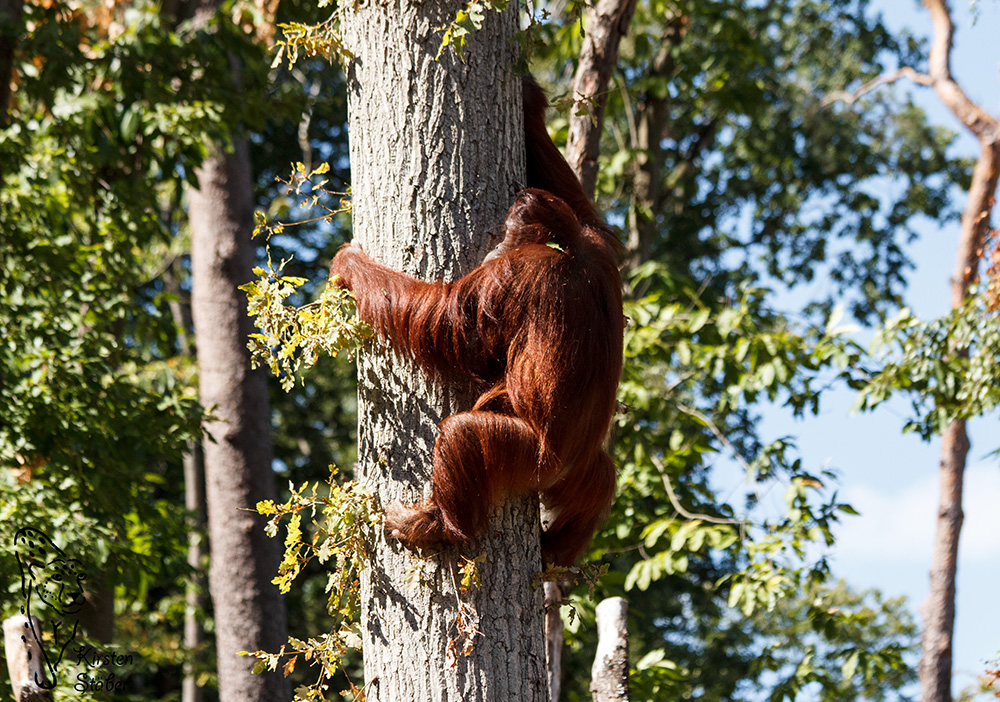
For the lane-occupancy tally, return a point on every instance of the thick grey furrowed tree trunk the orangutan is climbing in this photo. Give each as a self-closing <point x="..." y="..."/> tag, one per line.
<point x="436" y="148"/>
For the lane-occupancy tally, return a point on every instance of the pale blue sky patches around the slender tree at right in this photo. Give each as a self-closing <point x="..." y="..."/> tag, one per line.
<point x="891" y="478"/>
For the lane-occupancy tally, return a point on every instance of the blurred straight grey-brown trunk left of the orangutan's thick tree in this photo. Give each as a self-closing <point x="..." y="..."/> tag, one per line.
<point x="249" y="611"/>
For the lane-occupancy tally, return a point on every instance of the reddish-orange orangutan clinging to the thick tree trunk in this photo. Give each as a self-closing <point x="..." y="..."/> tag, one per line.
<point x="537" y="329"/>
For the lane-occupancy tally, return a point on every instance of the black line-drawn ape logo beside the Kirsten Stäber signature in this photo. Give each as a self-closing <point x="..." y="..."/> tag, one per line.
<point x="48" y="576"/>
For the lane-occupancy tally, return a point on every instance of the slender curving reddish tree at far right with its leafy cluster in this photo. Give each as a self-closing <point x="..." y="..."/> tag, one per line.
<point x="959" y="380"/>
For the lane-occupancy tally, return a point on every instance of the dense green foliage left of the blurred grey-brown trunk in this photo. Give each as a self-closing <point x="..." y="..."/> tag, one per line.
<point x="97" y="410"/>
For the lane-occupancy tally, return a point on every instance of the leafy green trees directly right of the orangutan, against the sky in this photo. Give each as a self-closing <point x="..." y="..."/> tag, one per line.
<point x="728" y="184"/>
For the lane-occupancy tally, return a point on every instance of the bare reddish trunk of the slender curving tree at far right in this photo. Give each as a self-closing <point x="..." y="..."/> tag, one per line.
<point x="938" y="610"/>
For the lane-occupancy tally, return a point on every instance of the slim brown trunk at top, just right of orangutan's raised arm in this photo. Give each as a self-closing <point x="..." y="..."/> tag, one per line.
<point x="607" y="23"/>
